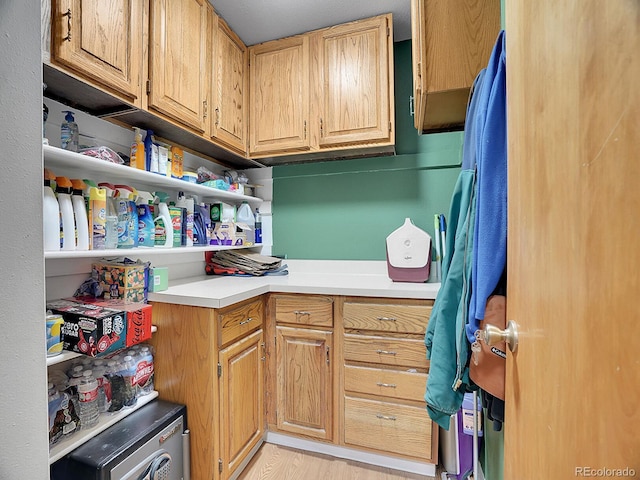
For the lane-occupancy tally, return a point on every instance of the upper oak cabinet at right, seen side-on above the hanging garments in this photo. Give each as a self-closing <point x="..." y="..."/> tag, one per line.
<point x="452" y="42"/>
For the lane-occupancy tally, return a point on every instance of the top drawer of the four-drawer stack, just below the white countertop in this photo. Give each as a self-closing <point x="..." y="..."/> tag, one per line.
<point x="386" y="317"/>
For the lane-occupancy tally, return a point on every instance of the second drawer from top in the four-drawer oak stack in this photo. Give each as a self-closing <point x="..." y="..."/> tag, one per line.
<point x="389" y="351"/>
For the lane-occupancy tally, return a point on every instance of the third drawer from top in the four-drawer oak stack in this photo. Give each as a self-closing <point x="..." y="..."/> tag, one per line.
<point x="389" y="383"/>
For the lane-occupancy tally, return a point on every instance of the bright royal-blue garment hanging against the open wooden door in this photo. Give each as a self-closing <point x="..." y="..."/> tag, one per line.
<point x="490" y="233"/>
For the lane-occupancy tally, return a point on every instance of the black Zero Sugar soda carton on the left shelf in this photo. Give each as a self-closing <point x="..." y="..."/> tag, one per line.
<point x="91" y="329"/>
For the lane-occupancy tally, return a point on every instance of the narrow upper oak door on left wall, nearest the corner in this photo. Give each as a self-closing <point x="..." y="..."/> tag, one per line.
<point x="229" y="88"/>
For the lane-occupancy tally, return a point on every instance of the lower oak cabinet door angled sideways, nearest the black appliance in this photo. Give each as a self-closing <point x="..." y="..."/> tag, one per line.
<point x="241" y="400"/>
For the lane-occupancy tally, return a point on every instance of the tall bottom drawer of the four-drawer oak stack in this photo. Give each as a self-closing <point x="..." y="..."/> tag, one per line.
<point x="389" y="427"/>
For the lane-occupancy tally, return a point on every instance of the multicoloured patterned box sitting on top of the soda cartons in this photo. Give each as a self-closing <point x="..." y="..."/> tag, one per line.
<point x="122" y="280"/>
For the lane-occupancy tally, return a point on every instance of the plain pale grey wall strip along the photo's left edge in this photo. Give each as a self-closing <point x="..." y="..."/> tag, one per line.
<point x="24" y="449"/>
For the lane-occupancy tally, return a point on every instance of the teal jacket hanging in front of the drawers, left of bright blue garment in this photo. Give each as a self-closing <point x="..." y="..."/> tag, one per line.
<point x="447" y="348"/>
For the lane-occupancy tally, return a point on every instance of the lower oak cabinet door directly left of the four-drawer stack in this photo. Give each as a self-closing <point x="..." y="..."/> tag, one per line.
<point x="304" y="403"/>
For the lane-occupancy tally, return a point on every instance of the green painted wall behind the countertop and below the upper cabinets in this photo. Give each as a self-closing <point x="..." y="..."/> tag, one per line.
<point x="344" y="209"/>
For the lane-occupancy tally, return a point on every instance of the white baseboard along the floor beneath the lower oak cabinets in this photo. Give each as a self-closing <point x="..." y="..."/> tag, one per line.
<point x="420" y="468"/>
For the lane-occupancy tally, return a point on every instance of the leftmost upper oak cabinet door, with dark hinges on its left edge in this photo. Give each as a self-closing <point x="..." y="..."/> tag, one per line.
<point x="101" y="40"/>
